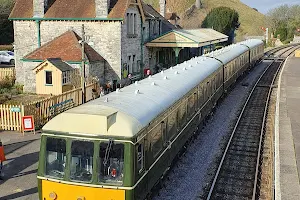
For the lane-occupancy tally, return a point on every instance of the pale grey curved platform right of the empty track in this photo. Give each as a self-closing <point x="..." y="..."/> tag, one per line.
<point x="287" y="132"/>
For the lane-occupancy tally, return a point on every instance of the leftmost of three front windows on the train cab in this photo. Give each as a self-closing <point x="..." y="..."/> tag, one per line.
<point x="55" y="157"/>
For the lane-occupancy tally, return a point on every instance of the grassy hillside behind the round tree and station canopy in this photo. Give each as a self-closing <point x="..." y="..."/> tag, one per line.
<point x="191" y="17"/>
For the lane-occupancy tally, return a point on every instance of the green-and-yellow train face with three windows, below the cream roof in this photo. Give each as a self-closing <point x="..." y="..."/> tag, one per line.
<point x="82" y="169"/>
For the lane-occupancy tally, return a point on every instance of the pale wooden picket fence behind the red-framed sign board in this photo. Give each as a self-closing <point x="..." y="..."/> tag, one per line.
<point x="43" y="110"/>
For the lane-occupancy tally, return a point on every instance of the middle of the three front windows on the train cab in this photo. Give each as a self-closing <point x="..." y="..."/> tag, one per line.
<point x="82" y="161"/>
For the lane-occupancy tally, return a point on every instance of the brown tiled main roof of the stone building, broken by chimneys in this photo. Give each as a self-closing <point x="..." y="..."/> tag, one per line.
<point x="70" y="9"/>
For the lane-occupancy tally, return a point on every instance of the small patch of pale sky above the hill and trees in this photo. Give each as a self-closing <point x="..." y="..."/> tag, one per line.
<point x="264" y="6"/>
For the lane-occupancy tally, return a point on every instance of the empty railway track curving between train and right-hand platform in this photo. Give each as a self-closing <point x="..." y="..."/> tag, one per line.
<point x="238" y="174"/>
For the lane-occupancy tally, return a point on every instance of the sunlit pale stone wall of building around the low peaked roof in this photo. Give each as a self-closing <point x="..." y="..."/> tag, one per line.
<point x="106" y="38"/>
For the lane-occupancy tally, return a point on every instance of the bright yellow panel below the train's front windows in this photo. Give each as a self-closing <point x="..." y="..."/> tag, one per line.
<point x="59" y="191"/>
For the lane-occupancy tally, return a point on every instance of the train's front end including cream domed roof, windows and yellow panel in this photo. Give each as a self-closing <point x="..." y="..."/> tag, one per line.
<point x="79" y="161"/>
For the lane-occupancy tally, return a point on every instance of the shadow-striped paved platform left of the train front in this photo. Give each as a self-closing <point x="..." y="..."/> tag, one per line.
<point x="20" y="169"/>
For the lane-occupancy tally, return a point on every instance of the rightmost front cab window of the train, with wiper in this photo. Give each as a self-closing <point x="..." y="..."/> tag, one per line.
<point x="111" y="162"/>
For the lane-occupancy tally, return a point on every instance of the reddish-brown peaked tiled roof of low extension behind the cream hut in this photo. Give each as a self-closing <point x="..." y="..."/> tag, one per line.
<point x="66" y="47"/>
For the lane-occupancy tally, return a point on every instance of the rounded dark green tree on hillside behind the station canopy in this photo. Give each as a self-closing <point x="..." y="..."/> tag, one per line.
<point x="224" y="20"/>
